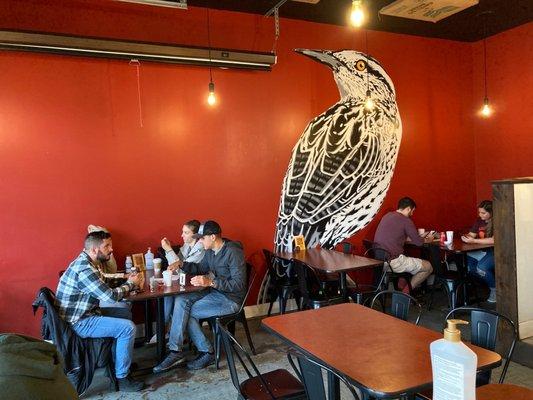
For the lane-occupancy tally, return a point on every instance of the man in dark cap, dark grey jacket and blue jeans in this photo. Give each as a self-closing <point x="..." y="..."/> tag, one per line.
<point x="222" y="272"/>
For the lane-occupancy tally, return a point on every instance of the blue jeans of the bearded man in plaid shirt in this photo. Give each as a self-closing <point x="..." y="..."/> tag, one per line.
<point x="123" y="330"/>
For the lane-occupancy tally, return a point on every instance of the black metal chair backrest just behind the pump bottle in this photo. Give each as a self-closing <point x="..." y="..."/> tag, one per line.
<point x="484" y="330"/>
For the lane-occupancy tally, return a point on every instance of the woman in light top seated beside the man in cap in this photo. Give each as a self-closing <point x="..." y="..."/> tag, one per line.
<point x="191" y="251"/>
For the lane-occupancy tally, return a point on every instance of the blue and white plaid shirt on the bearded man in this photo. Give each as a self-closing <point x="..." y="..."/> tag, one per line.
<point x="82" y="287"/>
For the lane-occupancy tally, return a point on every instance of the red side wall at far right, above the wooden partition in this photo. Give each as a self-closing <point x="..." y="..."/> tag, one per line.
<point x="504" y="144"/>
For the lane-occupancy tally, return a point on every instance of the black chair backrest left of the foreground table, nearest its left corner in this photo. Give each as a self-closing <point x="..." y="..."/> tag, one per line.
<point x="234" y="350"/>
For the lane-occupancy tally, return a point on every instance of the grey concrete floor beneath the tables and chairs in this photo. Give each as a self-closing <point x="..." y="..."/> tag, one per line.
<point x="210" y="383"/>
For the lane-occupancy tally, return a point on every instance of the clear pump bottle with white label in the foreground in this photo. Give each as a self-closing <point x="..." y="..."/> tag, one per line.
<point x="454" y="366"/>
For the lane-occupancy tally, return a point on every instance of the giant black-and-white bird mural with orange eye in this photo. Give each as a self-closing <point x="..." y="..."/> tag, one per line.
<point x="341" y="167"/>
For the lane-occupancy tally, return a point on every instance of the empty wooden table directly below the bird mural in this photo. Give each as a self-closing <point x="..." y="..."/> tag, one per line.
<point x="331" y="261"/>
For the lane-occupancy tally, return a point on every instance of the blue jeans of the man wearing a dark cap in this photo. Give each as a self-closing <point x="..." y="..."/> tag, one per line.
<point x="189" y="309"/>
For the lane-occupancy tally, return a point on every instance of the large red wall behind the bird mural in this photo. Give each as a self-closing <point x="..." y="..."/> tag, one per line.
<point x="72" y="151"/>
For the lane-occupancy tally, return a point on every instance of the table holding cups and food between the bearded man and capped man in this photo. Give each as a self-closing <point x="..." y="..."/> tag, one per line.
<point x="158" y="295"/>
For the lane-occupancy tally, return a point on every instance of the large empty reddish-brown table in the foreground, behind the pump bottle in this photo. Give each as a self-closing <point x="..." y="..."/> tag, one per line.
<point x="382" y="355"/>
